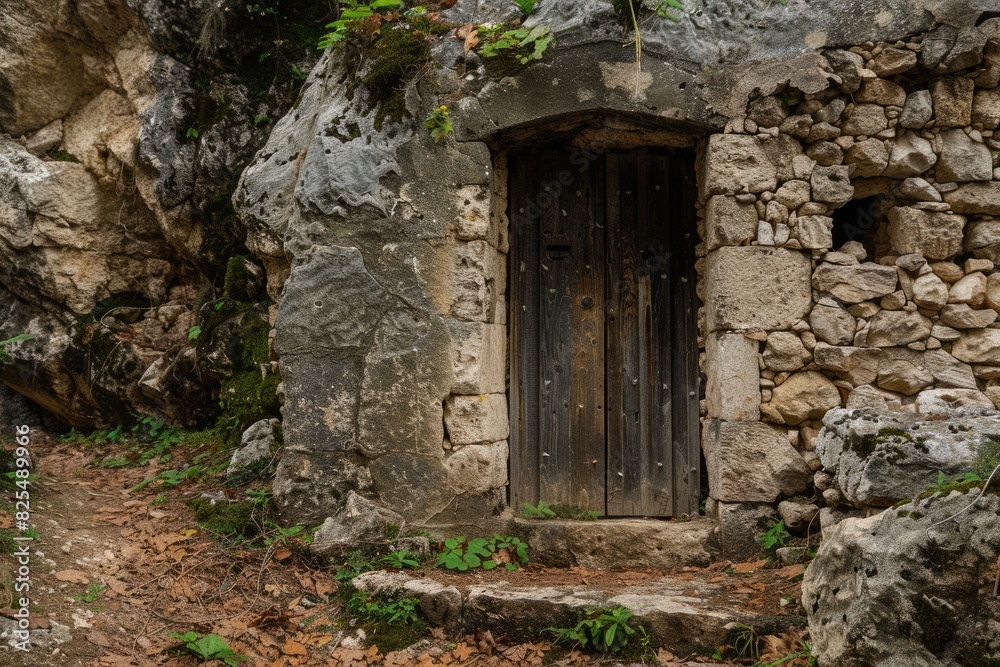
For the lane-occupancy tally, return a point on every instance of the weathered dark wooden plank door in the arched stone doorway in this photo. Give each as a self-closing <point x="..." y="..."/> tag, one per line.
<point x="603" y="356"/>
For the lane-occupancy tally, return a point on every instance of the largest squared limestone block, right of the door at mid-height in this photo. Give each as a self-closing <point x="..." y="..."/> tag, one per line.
<point x="754" y="287"/>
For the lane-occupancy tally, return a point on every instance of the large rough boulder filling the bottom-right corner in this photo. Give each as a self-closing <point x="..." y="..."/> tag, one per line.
<point x="910" y="586"/>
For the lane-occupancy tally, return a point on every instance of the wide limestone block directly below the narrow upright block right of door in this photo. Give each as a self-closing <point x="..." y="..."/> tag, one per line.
<point x="752" y="462"/>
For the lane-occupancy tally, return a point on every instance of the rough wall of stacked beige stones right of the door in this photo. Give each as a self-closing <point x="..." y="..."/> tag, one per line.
<point x="902" y="313"/>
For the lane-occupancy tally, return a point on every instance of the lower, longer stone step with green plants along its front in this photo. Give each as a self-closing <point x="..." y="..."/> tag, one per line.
<point x="687" y="617"/>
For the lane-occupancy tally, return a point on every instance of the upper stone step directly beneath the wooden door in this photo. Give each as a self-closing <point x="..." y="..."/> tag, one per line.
<point x="620" y="543"/>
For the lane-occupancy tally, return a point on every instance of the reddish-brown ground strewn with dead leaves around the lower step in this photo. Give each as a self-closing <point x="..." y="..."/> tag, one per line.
<point x="114" y="572"/>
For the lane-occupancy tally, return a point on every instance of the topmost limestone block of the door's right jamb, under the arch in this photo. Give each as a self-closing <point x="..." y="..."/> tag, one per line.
<point x="737" y="163"/>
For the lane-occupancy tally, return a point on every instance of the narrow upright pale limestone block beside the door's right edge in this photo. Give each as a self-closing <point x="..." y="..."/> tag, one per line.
<point x="732" y="390"/>
